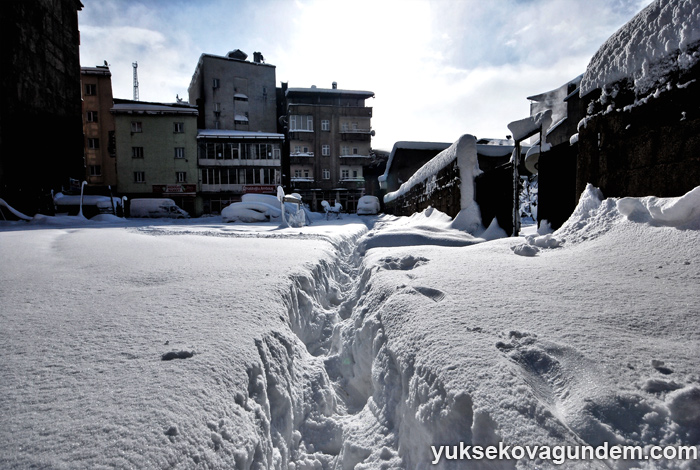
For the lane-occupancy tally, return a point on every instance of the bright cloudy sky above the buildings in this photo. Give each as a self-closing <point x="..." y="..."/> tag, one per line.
<point x="438" y="68"/>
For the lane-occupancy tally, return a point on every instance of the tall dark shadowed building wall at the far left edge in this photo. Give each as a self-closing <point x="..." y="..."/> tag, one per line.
<point x="41" y="143"/>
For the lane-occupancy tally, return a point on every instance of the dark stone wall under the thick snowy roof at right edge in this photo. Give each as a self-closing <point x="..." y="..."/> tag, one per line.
<point x="651" y="149"/>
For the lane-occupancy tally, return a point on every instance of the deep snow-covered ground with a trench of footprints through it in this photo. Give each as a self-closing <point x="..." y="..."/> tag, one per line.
<point x="353" y="343"/>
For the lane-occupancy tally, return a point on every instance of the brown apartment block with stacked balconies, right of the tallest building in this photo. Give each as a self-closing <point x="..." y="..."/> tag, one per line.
<point x="329" y="133"/>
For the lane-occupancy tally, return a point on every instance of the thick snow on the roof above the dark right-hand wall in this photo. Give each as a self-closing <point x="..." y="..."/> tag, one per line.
<point x="658" y="40"/>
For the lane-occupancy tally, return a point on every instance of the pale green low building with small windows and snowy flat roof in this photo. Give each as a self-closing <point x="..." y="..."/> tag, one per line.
<point x="156" y="151"/>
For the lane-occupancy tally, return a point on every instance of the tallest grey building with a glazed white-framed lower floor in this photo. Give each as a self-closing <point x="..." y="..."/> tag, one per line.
<point x="239" y="148"/>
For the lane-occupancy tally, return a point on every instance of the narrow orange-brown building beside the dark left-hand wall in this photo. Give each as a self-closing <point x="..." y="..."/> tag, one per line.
<point x="98" y="127"/>
